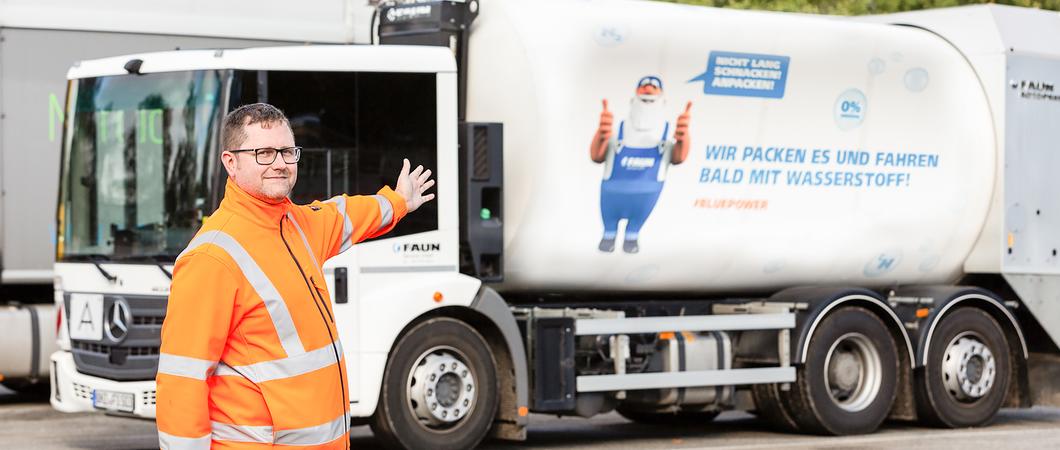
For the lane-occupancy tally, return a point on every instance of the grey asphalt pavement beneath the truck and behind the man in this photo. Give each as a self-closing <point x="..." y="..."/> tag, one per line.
<point x="28" y="422"/>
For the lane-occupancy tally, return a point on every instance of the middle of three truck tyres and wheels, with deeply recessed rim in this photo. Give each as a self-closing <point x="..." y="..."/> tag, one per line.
<point x="847" y="385"/>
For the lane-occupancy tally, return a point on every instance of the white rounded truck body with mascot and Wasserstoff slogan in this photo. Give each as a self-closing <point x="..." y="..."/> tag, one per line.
<point x="821" y="151"/>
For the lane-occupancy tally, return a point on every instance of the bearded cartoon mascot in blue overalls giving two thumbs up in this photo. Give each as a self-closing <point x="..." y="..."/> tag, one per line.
<point x="635" y="161"/>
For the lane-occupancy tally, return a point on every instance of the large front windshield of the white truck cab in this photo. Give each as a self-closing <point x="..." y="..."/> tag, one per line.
<point x="138" y="165"/>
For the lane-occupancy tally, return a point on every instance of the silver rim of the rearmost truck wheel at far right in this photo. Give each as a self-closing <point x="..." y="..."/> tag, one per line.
<point x="969" y="368"/>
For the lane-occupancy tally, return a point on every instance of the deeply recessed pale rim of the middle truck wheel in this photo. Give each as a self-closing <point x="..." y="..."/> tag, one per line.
<point x="854" y="372"/>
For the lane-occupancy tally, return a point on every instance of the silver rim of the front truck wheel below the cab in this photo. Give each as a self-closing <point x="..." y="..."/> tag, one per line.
<point x="441" y="388"/>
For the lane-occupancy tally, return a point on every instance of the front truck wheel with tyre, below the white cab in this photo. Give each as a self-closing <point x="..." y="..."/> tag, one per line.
<point x="439" y="389"/>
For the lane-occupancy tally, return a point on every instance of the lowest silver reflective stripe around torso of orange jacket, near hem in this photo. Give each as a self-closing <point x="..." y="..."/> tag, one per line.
<point x="264" y="435"/>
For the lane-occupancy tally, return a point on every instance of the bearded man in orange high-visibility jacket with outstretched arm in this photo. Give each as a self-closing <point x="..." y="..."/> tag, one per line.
<point x="251" y="356"/>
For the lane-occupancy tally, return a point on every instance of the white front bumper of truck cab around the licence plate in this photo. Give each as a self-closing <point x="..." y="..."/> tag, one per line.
<point x="73" y="391"/>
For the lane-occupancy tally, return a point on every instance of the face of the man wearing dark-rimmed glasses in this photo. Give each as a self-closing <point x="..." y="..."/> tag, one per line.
<point x="272" y="183"/>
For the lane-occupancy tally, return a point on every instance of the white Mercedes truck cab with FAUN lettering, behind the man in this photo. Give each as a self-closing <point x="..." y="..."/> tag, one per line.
<point x="142" y="124"/>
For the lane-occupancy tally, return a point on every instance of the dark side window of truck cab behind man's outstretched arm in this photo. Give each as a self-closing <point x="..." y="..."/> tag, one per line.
<point x="356" y="129"/>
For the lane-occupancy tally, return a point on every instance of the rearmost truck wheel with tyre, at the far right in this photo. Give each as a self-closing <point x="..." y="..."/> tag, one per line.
<point x="967" y="375"/>
